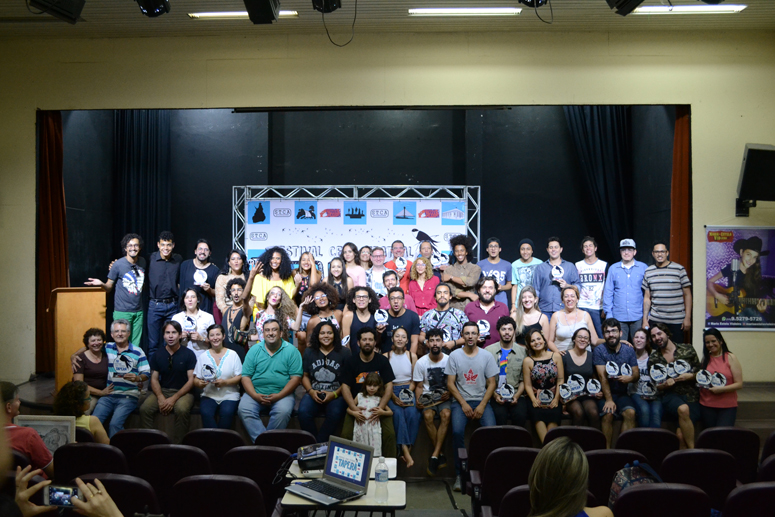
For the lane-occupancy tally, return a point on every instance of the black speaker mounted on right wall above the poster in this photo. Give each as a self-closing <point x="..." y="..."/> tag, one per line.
<point x="757" y="177"/>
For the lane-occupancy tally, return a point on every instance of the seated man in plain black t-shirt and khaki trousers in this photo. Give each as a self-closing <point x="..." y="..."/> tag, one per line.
<point x="172" y="378"/>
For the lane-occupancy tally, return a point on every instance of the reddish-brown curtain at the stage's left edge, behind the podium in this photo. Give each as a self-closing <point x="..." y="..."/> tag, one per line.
<point x="52" y="252"/>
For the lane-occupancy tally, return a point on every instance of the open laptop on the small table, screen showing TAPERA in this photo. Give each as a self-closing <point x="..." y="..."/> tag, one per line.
<point x="345" y="477"/>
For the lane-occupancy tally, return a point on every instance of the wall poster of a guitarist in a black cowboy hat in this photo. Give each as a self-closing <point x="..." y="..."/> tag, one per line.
<point x="740" y="276"/>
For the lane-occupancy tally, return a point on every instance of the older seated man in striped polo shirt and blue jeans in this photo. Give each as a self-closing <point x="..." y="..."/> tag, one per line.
<point x="127" y="369"/>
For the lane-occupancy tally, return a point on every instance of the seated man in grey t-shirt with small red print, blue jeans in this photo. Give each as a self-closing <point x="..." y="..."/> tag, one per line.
<point x="472" y="375"/>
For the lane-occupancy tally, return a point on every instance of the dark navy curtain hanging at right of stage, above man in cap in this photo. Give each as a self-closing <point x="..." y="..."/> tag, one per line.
<point x="602" y="138"/>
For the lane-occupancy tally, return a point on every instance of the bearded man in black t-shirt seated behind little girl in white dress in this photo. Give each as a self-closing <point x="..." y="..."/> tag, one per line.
<point x="354" y="373"/>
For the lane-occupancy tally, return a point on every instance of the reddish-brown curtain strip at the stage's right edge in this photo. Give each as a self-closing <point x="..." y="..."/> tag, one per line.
<point x="680" y="192"/>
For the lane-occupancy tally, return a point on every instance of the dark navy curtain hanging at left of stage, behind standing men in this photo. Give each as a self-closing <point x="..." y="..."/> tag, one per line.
<point x="141" y="173"/>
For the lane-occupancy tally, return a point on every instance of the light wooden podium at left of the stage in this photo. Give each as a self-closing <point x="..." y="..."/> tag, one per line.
<point x="76" y="309"/>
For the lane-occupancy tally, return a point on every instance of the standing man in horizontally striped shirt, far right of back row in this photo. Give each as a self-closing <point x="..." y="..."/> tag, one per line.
<point x="667" y="296"/>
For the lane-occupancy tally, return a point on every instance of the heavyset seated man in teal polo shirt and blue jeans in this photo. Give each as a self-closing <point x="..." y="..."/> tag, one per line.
<point x="270" y="374"/>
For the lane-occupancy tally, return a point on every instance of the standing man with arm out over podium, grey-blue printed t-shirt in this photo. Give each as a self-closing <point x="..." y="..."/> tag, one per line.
<point x="127" y="275"/>
